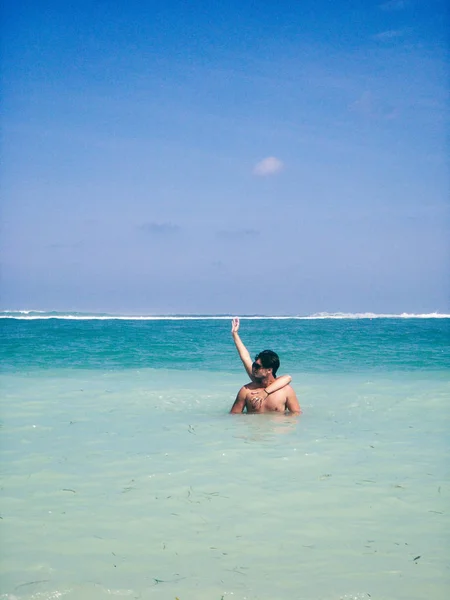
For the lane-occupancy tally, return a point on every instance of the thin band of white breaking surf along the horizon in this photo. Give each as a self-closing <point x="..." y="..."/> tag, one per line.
<point x="30" y="315"/>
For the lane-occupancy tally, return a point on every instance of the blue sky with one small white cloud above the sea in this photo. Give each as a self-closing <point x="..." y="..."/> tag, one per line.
<point x="235" y="157"/>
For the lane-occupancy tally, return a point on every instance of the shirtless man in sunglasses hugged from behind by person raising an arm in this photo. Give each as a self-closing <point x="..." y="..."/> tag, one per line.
<point x="265" y="392"/>
